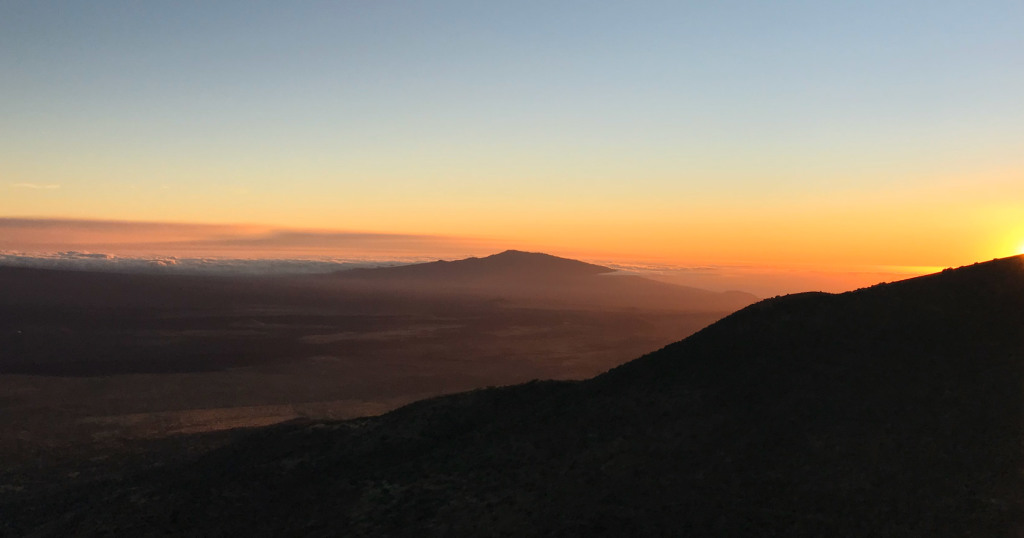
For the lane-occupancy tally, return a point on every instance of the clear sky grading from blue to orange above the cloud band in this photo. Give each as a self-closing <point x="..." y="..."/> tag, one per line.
<point x="818" y="134"/>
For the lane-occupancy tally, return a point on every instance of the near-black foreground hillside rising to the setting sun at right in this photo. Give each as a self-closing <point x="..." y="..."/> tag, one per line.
<point x="889" y="411"/>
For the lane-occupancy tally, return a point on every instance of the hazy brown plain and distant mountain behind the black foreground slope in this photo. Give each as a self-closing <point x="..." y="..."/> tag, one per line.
<point x="94" y="363"/>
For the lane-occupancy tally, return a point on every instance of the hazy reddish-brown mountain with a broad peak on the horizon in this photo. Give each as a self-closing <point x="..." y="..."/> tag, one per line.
<point x="536" y="278"/>
